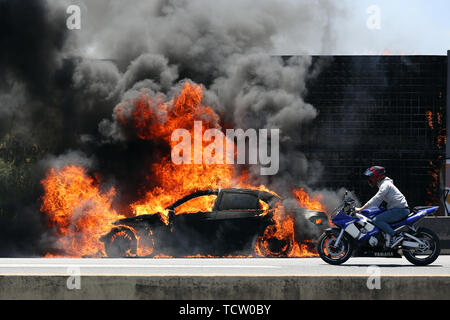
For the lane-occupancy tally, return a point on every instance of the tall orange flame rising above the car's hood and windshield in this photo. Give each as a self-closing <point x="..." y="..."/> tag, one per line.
<point x="176" y="180"/>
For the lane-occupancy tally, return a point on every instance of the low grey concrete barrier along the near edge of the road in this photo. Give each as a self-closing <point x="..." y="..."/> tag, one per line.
<point x="225" y="287"/>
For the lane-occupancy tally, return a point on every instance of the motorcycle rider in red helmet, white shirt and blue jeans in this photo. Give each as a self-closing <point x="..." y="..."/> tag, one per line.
<point x="397" y="207"/>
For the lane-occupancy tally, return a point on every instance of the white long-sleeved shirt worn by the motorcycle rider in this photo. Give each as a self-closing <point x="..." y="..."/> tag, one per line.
<point x="390" y="194"/>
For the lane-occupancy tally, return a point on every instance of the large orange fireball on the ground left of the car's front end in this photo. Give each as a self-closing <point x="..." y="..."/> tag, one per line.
<point x="79" y="211"/>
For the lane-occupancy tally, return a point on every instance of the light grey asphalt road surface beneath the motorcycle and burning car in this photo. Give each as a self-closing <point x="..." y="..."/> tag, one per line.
<point x="223" y="266"/>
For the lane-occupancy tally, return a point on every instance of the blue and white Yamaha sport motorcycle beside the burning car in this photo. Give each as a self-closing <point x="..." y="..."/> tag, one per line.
<point x="355" y="234"/>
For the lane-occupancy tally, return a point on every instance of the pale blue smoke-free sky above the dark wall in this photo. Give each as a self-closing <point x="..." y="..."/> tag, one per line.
<point x="408" y="26"/>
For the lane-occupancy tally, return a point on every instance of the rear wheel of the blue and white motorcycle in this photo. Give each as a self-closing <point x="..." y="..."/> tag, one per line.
<point x="426" y="254"/>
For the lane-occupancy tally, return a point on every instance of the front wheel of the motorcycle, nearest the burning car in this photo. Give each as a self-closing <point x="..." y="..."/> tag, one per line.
<point x="333" y="253"/>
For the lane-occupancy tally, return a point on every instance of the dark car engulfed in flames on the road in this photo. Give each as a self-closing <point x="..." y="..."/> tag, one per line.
<point x="235" y="226"/>
